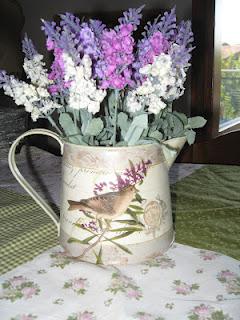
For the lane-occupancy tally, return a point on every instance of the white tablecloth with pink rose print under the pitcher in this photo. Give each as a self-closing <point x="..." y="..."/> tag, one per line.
<point x="184" y="283"/>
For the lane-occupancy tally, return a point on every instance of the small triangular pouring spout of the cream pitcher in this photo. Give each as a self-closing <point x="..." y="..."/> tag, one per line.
<point x="171" y="148"/>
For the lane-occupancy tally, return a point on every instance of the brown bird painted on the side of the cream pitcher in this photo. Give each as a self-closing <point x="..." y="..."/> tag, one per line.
<point x="108" y="205"/>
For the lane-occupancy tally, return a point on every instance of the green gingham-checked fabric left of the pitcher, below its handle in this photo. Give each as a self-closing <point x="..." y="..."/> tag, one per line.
<point x="25" y="230"/>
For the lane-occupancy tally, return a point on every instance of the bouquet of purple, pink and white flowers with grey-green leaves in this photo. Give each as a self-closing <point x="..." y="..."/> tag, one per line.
<point x="104" y="88"/>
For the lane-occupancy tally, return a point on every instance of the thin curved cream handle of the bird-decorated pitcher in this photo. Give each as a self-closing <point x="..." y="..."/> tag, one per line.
<point x="14" y="169"/>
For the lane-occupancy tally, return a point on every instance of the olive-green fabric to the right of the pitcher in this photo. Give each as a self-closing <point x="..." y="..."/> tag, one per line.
<point x="206" y="207"/>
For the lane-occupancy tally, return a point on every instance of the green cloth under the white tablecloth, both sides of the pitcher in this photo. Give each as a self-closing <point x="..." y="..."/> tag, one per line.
<point x="206" y="206"/>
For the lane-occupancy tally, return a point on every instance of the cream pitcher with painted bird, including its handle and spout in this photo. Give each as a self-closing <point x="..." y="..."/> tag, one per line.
<point x="115" y="201"/>
